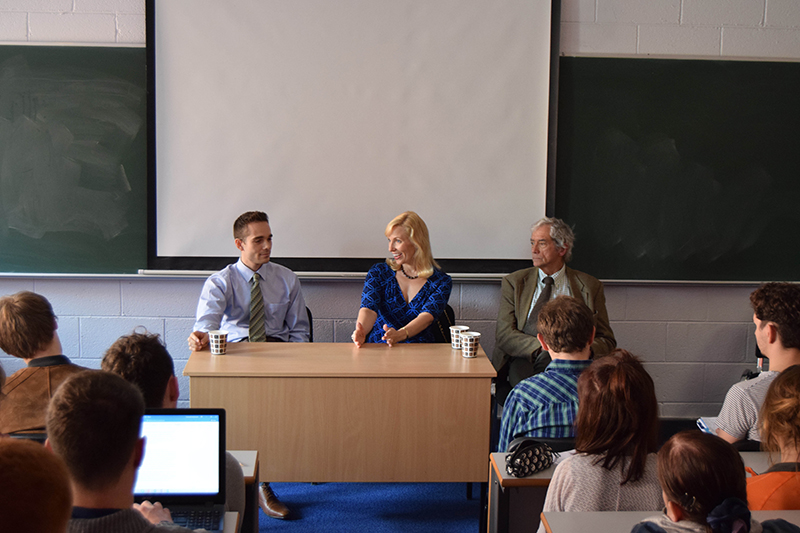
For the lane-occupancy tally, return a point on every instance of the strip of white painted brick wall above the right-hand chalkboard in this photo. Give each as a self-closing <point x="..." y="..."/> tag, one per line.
<point x="682" y="28"/>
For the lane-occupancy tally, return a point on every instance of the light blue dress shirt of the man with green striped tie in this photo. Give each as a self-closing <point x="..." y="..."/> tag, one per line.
<point x="225" y="303"/>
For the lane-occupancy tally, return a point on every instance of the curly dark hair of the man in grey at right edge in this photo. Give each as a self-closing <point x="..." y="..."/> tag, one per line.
<point x="779" y="303"/>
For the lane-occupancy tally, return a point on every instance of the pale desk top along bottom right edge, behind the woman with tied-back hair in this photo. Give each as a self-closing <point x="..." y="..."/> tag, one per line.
<point x="623" y="521"/>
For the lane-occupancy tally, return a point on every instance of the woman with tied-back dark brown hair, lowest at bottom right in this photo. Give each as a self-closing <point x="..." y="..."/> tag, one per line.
<point x="704" y="489"/>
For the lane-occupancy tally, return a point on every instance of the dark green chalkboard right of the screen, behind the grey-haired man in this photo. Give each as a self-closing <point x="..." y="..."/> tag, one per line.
<point x="680" y="169"/>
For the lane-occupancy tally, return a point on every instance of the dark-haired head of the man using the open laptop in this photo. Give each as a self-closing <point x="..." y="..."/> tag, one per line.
<point x="93" y="424"/>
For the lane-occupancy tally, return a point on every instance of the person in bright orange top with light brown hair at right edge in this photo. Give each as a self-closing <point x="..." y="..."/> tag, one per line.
<point x="779" y="487"/>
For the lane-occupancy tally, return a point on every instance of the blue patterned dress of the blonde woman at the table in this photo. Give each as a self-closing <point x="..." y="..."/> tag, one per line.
<point x="382" y="294"/>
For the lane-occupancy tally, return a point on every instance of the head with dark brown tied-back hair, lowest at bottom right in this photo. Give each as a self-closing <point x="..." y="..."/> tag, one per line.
<point x="699" y="474"/>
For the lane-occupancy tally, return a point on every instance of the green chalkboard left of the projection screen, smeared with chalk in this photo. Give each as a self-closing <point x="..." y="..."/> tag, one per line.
<point x="73" y="159"/>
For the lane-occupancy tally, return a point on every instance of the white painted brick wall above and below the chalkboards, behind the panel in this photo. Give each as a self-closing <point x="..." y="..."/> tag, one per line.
<point x="695" y="339"/>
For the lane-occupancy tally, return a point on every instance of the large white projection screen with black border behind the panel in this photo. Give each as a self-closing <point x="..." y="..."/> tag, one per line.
<point x="333" y="116"/>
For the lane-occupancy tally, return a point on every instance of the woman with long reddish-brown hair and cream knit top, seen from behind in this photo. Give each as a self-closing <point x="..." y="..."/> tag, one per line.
<point x="614" y="468"/>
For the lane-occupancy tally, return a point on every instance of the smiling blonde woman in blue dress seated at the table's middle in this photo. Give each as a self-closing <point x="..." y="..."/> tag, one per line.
<point x="403" y="296"/>
